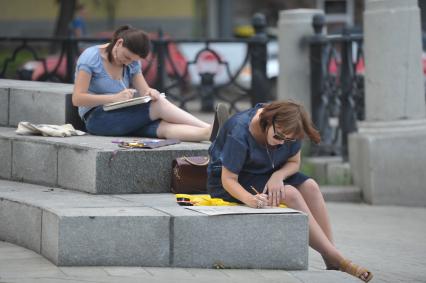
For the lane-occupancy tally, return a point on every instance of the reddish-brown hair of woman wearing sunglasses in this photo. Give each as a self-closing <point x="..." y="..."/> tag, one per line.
<point x="291" y="117"/>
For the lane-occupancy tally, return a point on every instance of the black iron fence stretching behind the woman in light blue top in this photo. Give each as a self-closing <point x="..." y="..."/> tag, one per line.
<point x="183" y="78"/>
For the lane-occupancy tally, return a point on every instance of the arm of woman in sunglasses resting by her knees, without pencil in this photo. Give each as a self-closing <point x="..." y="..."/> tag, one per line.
<point x="275" y="185"/>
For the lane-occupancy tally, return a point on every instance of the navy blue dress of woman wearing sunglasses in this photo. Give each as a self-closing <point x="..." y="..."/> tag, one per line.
<point x="237" y="150"/>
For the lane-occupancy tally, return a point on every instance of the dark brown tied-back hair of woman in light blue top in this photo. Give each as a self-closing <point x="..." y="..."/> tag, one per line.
<point x="136" y="40"/>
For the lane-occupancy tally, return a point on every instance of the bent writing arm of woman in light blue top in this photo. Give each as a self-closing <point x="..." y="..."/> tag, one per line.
<point x="81" y="96"/>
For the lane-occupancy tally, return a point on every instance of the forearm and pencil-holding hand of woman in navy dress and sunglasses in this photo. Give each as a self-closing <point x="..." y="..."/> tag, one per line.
<point x="231" y="185"/>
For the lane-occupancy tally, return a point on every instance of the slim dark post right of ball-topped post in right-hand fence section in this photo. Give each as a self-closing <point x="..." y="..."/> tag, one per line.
<point x="347" y="117"/>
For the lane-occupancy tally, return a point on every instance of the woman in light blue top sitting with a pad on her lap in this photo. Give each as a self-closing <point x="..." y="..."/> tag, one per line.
<point x="111" y="73"/>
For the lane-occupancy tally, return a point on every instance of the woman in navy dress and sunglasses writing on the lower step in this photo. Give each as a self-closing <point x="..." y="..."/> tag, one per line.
<point x="261" y="148"/>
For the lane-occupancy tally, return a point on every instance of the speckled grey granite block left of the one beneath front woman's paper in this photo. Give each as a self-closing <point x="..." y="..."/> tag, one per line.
<point x="129" y="236"/>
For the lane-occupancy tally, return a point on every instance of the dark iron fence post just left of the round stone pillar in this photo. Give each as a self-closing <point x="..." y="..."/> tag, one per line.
<point x="260" y="87"/>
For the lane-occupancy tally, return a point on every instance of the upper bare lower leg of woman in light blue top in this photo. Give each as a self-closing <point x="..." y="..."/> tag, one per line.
<point x="167" y="111"/>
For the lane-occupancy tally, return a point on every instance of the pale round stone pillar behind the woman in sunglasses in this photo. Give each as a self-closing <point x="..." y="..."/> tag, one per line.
<point x="294" y="76"/>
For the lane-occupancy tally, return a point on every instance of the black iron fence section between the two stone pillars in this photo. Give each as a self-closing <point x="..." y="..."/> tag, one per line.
<point x="337" y="87"/>
